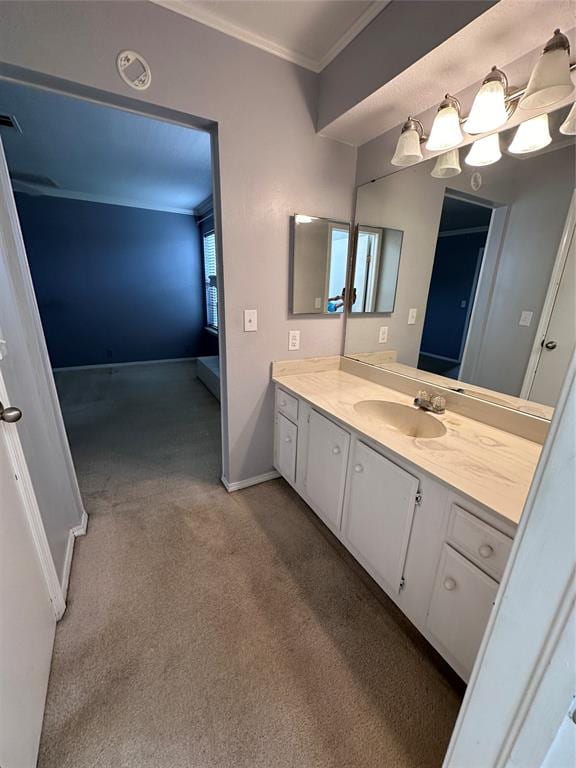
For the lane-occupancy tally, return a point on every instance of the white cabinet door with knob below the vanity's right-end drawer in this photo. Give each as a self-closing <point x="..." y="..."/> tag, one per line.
<point x="461" y="604"/>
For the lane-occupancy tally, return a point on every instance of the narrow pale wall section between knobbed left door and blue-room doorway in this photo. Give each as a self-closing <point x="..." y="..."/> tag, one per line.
<point x="28" y="378"/>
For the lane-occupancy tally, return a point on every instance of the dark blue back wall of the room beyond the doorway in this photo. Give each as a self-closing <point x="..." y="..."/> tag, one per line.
<point x="114" y="284"/>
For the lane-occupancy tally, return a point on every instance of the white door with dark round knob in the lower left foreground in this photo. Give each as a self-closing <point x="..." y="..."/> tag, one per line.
<point x="27" y="617"/>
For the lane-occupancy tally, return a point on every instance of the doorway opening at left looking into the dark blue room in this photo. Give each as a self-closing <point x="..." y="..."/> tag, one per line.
<point x="116" y="213"/>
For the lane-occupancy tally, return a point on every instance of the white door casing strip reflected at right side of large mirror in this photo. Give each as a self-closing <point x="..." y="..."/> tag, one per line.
<point x="568" y="236"/>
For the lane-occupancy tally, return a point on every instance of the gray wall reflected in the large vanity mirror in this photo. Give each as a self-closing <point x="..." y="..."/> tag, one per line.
<point x="537" y="191"/>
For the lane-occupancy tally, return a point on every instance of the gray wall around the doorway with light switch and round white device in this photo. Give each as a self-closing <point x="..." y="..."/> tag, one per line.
<point x="271" y="164"/>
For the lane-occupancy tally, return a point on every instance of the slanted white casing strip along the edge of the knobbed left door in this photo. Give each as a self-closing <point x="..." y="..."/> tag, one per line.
<point x="33" y="515"/>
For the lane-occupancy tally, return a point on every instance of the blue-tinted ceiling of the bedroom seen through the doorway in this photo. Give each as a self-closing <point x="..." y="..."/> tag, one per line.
<point x="98" y="153"/>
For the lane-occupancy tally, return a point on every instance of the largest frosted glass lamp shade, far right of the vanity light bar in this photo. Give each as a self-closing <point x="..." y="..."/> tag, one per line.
<point x="550" y="80"/>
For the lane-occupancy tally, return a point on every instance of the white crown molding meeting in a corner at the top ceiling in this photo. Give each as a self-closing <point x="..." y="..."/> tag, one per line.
<point x="204" y="16"/>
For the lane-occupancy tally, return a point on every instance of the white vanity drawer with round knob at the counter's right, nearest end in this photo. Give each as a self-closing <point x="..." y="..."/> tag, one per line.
<point x="478" y="541"/>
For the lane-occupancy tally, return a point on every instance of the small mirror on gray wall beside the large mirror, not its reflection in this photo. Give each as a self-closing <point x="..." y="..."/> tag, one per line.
<point x="319" y="262"/>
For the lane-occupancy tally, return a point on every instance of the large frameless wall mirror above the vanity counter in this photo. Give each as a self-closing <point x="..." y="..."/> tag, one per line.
<point x="484" y="297"/>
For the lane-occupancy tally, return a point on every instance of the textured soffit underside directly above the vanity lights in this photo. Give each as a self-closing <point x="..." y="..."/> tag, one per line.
<point x="501" y="35"/>
